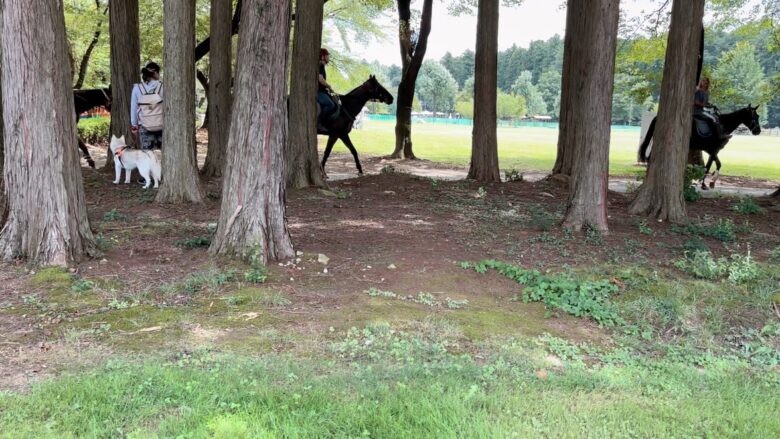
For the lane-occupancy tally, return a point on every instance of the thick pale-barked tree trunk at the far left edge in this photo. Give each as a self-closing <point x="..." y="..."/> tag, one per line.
<point x="47" y="216"/>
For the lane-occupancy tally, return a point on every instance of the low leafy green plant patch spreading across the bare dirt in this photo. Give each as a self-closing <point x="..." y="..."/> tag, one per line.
<point x="573" y="296"/>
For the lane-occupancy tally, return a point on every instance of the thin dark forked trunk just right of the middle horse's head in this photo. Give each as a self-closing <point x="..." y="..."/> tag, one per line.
<point x="412" y="55"/>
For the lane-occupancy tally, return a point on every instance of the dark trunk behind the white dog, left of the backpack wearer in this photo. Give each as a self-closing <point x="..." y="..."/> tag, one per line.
<point x="125" y="66"/>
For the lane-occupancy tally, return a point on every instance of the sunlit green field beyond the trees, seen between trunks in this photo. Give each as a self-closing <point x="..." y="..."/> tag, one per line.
<point x="533" y="149"/>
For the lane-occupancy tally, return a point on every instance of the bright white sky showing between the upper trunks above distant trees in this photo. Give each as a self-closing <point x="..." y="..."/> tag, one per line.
<point x="533" y="20"/>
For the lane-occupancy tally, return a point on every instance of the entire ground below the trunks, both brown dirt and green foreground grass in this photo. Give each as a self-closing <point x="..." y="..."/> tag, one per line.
<point x="445" y="310"/>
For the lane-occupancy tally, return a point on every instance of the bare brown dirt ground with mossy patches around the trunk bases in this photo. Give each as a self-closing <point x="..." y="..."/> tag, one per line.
<point x="389" y="231"/>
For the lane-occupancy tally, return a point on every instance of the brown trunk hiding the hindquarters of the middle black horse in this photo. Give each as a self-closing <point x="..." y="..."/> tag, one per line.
<point x="303" y="164"/>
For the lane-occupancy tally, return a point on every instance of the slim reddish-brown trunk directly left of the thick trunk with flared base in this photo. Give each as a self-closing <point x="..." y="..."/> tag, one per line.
<point x="218" y="92"/>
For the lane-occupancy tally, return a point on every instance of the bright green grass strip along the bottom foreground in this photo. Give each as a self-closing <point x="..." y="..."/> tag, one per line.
<point x="205" y="395"/>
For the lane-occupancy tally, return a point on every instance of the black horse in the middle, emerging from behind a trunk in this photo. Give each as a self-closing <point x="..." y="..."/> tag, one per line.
<point x="340" y="124"/>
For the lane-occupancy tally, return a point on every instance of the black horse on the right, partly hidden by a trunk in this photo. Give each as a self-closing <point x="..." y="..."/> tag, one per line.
<point x="711" y="144"/>
